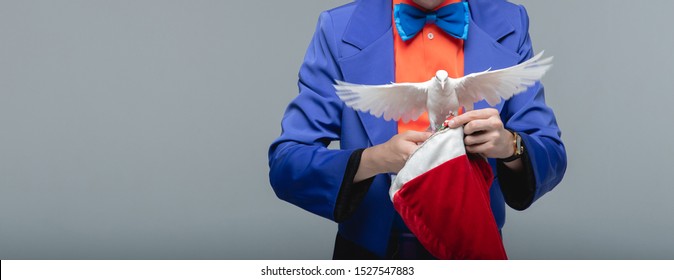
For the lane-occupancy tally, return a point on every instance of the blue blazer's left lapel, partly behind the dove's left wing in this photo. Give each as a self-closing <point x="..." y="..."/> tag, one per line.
<point x="369" y="30"/>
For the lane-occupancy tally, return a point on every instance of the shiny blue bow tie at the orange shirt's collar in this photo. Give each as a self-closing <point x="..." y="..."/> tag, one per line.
<point x="453" y="19"/>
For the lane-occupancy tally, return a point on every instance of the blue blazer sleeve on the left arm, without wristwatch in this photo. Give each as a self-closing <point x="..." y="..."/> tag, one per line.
<point x="303" y="171"/>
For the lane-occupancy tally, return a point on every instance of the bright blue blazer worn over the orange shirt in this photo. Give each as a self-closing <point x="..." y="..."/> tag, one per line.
<point x="354" y="43"/>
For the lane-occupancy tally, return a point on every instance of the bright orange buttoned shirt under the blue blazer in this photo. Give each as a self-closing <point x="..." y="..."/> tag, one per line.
<point x="419" y="58"/>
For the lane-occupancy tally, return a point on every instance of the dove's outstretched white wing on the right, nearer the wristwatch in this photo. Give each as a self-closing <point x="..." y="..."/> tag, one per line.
<point x="503" y="83"/>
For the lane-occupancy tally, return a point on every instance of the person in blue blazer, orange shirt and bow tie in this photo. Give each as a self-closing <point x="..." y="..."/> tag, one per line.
<point x="361" y="43"/>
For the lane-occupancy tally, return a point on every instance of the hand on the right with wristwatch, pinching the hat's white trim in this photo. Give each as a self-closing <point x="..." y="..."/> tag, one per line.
<point x="484" y="133"/>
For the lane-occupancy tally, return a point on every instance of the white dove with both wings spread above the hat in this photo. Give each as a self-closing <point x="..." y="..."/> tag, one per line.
<point x="442" y="96"/>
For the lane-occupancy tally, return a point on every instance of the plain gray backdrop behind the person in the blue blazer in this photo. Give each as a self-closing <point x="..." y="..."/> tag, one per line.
<point x="139" y="129"/>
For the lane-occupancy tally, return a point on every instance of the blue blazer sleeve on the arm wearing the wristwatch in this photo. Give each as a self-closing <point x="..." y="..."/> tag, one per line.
<point x="527" y="114"/>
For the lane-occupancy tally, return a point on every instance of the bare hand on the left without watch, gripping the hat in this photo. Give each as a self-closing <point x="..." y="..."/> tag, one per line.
<point x="390" y="156"/>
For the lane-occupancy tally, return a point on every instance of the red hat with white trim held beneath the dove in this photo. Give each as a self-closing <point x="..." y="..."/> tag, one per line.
<point x="442" y="194"/>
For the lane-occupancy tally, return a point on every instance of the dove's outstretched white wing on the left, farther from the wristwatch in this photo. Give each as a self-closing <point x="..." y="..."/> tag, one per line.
<point x="406" y="101"/>
